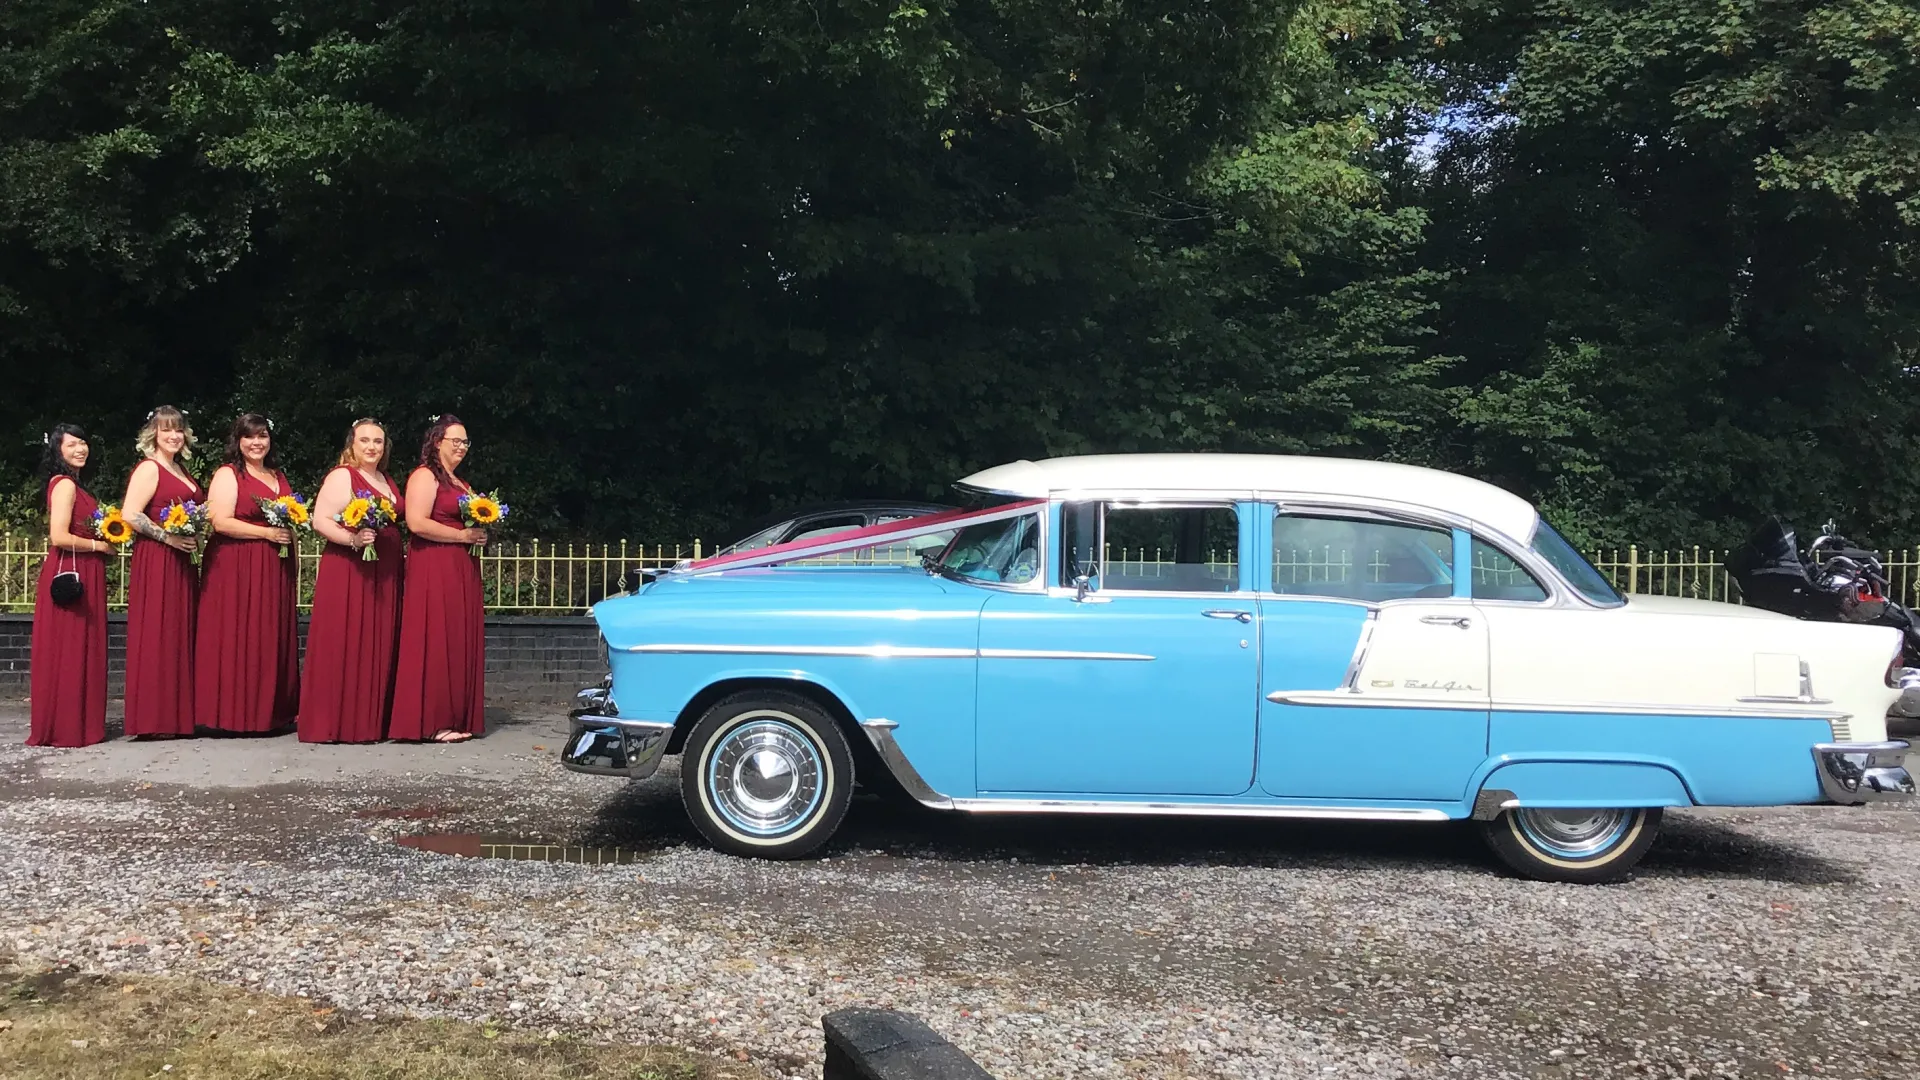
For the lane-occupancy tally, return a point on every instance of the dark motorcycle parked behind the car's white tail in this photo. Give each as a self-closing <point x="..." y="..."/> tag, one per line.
<point x="1835" y="581"/>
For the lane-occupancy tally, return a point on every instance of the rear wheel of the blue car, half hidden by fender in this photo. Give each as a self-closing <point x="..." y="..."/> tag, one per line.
<point x="1583" y="847"/>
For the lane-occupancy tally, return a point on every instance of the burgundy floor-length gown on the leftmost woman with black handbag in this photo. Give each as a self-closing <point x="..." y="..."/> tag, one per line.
<point x="70" y="643"/>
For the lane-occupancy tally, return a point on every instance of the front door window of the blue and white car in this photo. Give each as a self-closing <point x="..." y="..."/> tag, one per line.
<point x="1170" y="549"/>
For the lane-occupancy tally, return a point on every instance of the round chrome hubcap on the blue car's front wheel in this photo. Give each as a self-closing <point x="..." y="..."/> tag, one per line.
<point x="765" y="777"/>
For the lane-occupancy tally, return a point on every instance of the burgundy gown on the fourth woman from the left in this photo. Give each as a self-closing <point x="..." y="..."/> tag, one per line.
<point x="354" y="637"/>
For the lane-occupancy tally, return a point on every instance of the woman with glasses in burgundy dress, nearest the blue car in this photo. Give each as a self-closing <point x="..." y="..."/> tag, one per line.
<point x="441" y="689"/>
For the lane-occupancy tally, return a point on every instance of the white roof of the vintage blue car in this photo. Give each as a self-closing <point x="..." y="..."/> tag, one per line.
<point x="1243" y="474"/>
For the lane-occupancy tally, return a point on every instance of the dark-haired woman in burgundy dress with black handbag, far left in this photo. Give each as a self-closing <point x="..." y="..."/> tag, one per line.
<point x="70" y="639"/>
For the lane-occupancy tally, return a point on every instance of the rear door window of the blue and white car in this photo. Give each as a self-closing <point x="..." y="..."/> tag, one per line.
<point x="1360" y="558"/>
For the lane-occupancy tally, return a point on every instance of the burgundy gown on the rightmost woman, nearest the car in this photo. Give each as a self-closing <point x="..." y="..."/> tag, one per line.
<point x="443" y="637"/>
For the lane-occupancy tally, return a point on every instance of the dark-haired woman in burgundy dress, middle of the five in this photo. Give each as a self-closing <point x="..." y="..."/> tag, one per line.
<point x="247" y="649"/>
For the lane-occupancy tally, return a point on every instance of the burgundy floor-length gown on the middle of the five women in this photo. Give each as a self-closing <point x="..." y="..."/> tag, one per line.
<point x="247" y="649"/>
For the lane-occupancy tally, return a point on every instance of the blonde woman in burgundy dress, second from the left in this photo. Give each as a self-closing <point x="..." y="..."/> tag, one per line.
<point x="166" y="585"/>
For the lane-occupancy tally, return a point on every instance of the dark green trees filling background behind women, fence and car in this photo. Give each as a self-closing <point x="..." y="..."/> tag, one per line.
<point x="1650" y="264"/>
